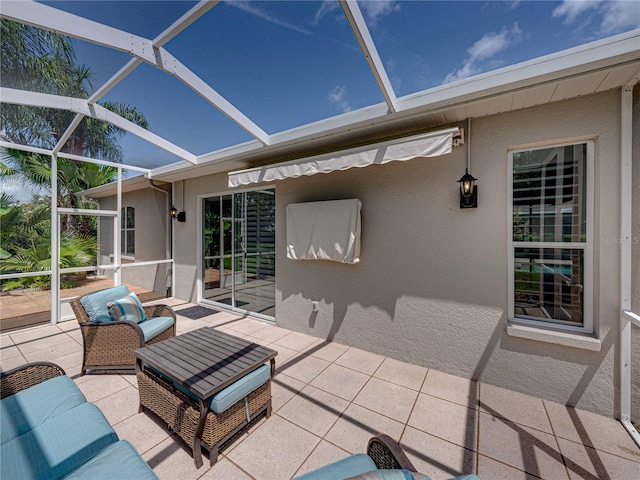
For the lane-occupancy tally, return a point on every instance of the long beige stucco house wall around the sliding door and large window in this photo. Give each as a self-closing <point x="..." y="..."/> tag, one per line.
<point x="431" y="287"/>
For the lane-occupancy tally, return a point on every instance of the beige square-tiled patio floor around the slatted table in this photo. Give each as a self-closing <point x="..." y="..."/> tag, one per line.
<point x="328" y="399"/>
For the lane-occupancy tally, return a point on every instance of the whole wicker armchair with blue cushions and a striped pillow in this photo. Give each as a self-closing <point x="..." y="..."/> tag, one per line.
<point x="108" y="344"/>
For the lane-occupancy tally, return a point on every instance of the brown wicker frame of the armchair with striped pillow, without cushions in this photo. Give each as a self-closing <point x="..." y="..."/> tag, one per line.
<point x="110" y="346"/>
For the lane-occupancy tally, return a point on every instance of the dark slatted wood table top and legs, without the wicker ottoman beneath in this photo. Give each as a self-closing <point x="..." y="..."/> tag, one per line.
<point x="204" y="361"/>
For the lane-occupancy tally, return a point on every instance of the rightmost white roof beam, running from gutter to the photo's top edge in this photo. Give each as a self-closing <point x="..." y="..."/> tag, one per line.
<point x="356" y="21"/>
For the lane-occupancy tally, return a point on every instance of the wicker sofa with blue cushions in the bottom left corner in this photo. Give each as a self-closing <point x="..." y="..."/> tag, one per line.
<point x="49" y="431"/>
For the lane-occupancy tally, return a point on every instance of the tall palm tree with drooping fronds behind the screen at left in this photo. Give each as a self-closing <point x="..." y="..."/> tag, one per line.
<point x="45" y="61"/>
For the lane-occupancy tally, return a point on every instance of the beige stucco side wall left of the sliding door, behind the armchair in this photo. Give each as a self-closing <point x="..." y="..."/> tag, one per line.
<point x="151" y="219"/>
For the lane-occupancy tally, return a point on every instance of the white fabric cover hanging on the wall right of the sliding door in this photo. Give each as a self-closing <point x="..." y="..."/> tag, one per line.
<point x="327" y="230"/>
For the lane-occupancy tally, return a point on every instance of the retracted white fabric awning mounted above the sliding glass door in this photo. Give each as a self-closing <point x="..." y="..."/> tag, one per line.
<point x="431" y="144"/>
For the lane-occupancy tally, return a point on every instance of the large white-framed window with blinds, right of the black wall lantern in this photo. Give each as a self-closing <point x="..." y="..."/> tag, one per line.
<point x="550" y="236"/>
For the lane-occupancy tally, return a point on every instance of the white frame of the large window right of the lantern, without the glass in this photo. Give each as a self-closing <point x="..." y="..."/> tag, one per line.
<point x="587" y="247"/>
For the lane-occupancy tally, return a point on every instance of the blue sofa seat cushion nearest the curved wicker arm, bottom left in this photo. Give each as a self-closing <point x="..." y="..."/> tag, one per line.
<point x="29" y="408"/>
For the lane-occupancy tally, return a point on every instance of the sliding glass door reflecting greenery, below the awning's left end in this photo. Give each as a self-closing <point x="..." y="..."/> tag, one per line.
<point x="239" y="251"/>
